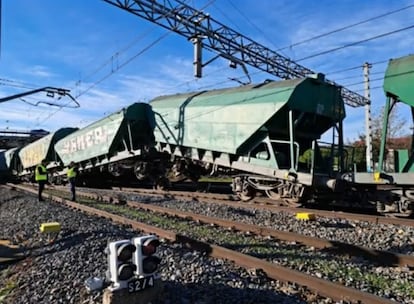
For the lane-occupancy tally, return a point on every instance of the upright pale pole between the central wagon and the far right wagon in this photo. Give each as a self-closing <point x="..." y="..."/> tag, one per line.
<point x="368" y="126"/>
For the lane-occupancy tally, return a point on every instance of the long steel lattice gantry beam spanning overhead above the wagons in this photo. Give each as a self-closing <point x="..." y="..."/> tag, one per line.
<point x="195" y="25"/>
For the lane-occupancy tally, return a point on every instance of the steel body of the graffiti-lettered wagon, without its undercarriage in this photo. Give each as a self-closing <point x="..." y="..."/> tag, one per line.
<point x="106" y="136"/>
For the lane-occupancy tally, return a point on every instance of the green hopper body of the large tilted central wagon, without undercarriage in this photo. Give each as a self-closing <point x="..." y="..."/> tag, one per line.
<point x="233" y="120"/>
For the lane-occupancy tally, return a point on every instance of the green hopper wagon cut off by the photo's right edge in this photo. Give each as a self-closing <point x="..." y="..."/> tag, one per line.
<point x="391" y="186"/>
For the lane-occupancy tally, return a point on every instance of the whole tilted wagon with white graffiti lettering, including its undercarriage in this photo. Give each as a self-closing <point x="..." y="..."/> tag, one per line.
<point x="115" y="144"/>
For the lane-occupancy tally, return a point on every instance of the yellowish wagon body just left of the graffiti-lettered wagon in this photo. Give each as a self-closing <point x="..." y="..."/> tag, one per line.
<point x="32" y="154"/>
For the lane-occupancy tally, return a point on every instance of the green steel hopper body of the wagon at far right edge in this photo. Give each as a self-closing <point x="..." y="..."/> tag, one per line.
<point x="399" y="79"/>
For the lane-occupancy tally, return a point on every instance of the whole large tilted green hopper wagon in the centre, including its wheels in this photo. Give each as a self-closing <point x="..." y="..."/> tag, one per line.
<point x="266" y="132"/>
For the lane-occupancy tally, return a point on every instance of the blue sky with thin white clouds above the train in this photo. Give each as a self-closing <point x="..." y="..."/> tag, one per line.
<point x="109" y="58"/>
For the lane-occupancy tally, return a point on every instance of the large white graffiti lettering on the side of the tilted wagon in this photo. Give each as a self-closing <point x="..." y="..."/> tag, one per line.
<point x="87" y="140"/>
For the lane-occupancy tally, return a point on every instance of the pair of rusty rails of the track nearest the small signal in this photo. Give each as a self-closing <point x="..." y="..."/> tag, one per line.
<point x="323" y="287"/>
